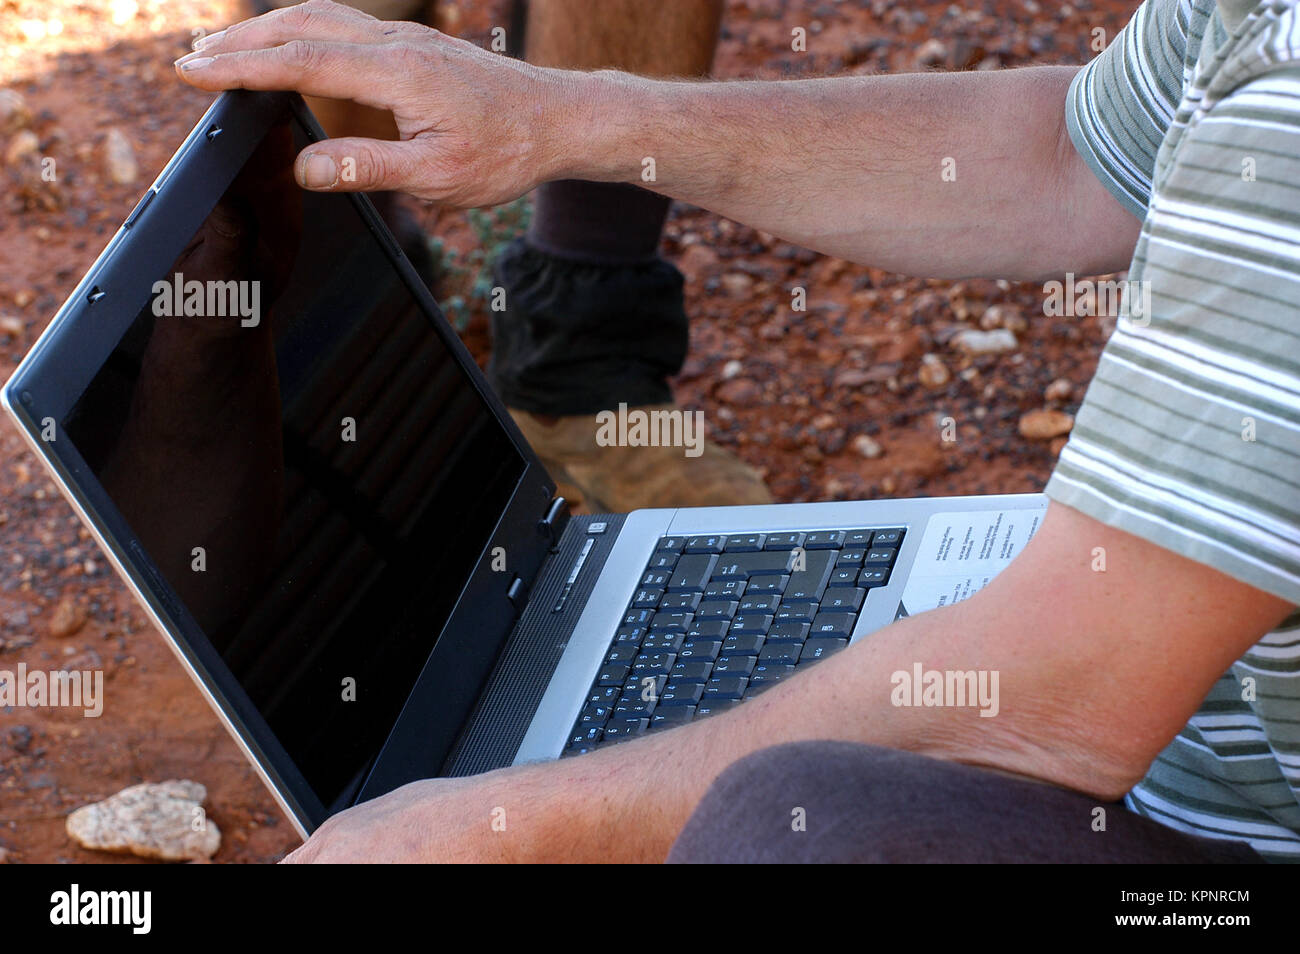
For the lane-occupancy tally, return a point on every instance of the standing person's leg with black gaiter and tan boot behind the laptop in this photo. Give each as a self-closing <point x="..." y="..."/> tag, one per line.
<point x="593" y="316"/>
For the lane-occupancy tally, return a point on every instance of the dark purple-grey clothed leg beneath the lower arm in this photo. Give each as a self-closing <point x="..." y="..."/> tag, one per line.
<point x="846" y="803"/>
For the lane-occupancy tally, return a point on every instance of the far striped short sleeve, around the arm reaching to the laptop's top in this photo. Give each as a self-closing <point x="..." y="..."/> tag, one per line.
<point x="1121" y="105"/>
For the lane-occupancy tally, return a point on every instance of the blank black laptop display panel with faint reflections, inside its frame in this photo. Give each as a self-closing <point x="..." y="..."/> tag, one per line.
<point x="302" y="458"/>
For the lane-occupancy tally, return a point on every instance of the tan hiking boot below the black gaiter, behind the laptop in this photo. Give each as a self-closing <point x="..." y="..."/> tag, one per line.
<point x="621" y="479"/>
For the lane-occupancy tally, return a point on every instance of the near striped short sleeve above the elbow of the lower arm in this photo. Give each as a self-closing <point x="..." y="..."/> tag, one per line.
<point x="1190" y="432"/>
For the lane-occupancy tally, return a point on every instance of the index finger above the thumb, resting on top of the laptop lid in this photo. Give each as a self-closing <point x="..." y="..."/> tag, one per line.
<point x="315" y="68"/>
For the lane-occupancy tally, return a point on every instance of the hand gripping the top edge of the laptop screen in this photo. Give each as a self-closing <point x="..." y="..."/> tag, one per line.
<point x="473" y="124"/>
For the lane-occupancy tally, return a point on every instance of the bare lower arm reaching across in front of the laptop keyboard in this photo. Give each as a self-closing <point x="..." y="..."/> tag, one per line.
<point x="1094" y="682"/>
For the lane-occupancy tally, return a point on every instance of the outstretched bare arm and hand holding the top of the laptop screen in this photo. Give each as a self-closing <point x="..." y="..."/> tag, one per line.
<point x="853" y="166"/>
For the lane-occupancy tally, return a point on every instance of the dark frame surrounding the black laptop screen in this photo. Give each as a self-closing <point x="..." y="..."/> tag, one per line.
<point x="81" y="336"/>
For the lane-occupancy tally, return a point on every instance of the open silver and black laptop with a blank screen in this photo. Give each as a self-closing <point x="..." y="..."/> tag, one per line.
<point x="255" y="405"/>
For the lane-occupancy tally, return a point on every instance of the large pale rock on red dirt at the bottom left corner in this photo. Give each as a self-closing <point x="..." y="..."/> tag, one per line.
<point x="150" y="821"/>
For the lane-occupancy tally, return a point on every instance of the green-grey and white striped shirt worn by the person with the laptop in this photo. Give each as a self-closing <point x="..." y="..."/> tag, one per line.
<point x="1190" y="433"/>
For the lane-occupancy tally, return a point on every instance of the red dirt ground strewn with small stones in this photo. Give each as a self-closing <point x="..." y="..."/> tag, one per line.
<point x="788" y="397"/>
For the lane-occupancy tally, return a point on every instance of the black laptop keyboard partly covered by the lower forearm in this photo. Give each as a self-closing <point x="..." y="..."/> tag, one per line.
<point x="717" y="618"/>
